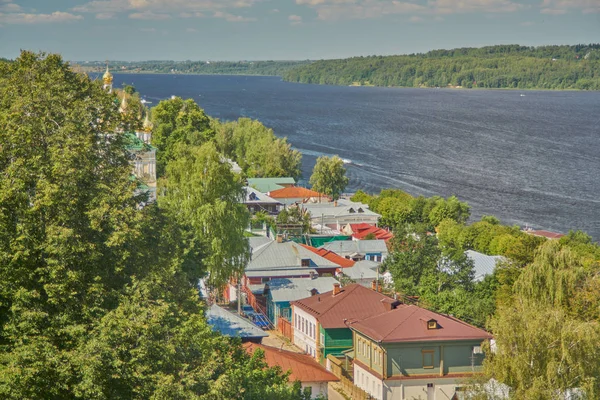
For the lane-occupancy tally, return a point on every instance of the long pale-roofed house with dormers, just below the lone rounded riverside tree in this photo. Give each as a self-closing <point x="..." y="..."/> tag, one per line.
<point x="335" y="215"/>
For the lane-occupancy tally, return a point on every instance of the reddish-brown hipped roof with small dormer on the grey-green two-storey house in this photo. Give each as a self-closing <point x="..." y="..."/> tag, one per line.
<point x="408" y="323"/>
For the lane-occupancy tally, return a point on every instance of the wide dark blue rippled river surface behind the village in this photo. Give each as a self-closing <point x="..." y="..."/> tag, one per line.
<point x="530" y="158"/>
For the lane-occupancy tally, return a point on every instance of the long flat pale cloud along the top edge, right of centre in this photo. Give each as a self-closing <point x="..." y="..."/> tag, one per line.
<point x="362" y="9"/>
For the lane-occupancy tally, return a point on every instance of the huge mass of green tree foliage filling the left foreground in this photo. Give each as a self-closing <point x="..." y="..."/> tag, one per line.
<point x="98" y="295"/>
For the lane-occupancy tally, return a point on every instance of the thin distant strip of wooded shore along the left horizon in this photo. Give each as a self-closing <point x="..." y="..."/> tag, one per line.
<point x="272" y="68"/>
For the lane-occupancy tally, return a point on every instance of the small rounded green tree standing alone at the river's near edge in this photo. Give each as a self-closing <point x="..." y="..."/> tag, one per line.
<point x="329" y="176"/>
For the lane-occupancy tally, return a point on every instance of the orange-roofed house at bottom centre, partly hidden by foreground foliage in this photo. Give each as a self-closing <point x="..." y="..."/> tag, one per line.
<point x="302" y="368"/>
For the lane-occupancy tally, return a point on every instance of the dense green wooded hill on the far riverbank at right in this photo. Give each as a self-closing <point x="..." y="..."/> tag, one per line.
<point x="503" y="66"/>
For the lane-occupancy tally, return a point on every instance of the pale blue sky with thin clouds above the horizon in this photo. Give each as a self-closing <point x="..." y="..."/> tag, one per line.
<point x="131" y="30"/>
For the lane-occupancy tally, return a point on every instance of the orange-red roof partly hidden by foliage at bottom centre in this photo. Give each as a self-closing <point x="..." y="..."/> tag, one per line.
<point x="304" y="368"/>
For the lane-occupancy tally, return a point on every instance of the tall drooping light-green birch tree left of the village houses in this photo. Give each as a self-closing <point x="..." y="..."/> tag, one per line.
<point x="203" y="195"/>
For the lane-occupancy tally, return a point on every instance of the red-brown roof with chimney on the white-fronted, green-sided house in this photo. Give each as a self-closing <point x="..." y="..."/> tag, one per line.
<point x="354" y="302"/>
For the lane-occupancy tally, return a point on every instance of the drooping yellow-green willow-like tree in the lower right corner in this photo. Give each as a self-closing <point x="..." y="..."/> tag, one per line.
<point x="546" y="343"/>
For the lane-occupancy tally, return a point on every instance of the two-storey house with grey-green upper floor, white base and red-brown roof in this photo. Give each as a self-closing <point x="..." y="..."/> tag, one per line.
<point x="409" y="352"/>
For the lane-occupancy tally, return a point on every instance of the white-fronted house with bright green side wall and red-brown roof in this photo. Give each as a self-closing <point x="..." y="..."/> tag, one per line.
<point x="321" y="322"/>
